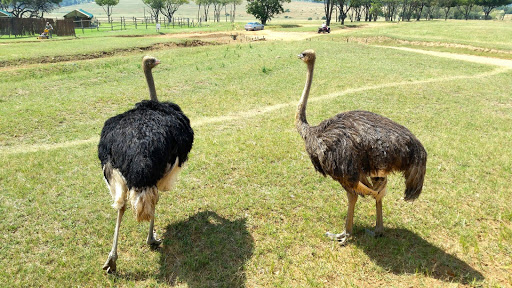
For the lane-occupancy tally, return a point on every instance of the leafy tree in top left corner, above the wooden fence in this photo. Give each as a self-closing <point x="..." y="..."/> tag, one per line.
<point x="29" y="8"/>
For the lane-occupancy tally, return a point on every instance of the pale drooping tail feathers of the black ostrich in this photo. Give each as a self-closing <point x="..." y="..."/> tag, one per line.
<point x="143" y="202"/>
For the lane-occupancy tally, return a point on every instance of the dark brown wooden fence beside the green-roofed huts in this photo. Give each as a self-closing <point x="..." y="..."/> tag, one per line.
<point x="34" y="26"/>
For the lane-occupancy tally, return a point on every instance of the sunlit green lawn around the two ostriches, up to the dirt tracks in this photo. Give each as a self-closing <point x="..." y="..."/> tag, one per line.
<point x="249" y="210"/>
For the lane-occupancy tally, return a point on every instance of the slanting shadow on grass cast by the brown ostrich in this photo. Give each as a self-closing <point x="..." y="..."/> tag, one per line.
<point x="401" y="251"/>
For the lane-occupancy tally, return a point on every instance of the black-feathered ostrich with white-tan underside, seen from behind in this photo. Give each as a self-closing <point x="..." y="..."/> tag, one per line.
<point x="141" y="152"/>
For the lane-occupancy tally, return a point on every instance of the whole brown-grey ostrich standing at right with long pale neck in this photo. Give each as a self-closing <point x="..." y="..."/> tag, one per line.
<point x="359" y="149"/>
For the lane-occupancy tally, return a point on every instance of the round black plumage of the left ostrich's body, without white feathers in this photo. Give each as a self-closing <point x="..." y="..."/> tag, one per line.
<point x="142" y="142"/>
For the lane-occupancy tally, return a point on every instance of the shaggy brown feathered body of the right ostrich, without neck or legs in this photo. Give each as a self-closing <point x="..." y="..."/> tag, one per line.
<point x="359" y="144"/>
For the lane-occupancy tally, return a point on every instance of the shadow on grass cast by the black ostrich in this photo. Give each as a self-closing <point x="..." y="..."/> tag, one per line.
<point x="206" y="250"/>
